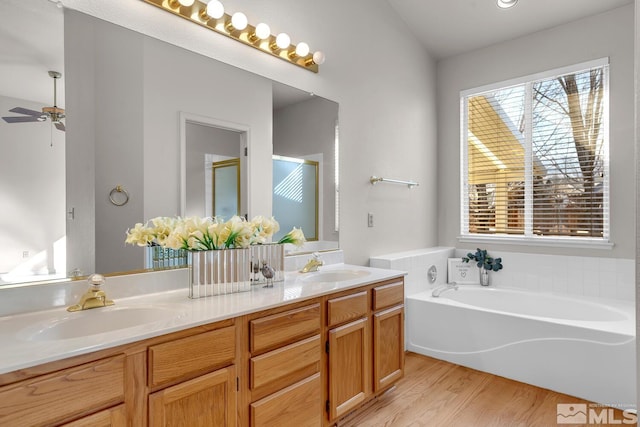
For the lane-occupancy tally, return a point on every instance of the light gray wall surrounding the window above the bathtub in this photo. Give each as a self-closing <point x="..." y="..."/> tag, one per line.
<point x="607" y="35"/>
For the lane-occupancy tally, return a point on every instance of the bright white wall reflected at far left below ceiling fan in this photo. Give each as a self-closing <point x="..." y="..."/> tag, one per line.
<point x="32" y="187"/>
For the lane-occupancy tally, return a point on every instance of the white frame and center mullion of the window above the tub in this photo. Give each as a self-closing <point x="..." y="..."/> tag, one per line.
<point x="532" y="239"/>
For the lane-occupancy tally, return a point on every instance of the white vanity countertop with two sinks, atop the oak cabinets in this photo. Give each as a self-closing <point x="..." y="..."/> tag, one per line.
<point x="24" y="345"/>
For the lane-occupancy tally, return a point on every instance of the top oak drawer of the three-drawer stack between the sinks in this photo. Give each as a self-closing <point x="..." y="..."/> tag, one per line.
<point x="283" y="328"/>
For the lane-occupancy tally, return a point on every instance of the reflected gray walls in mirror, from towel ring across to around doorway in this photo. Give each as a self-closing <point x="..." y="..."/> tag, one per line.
<point x="126" y="91"/>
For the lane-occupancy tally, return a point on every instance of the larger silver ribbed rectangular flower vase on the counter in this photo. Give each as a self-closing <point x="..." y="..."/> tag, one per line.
<point x="219" y="272"/>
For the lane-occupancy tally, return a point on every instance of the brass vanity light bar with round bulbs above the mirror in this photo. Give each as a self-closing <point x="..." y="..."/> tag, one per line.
<point x="236" y="27"/>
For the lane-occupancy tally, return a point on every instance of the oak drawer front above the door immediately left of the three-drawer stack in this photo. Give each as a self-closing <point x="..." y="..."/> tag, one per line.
<point x="189" y="356"/>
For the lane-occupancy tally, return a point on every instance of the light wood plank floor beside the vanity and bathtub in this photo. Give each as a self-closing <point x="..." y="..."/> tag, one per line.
<point x="441" y="394"/>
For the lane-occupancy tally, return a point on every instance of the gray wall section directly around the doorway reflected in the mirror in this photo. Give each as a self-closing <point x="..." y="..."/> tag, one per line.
<point x="195" y="84"/>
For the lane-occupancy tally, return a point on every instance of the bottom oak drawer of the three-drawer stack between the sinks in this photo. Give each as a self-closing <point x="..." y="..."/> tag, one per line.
<point x="299" y="405"/>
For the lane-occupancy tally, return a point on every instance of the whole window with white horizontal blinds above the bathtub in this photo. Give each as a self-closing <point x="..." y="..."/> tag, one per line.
<point x="535" y="156"/>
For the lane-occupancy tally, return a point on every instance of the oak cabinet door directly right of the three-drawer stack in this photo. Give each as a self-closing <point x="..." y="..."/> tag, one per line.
<point x="349" y="367"/>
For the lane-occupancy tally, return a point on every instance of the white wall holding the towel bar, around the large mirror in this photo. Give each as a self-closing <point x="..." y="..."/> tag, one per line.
<point x="382" y="78"/>
